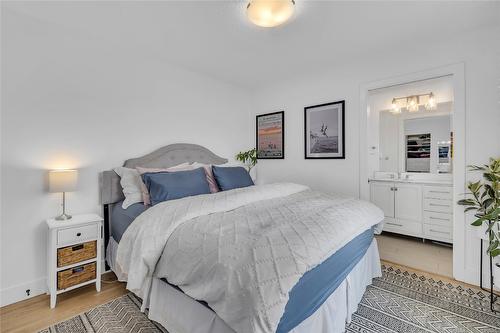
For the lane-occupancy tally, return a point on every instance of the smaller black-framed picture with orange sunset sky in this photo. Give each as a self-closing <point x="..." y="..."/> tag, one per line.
<point x="270" y="135"/>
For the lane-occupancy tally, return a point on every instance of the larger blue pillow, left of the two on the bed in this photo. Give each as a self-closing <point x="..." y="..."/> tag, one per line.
<point x="163" y="186"/>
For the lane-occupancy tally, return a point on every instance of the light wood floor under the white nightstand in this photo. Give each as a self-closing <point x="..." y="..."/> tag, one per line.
<point x="35" y="314"/>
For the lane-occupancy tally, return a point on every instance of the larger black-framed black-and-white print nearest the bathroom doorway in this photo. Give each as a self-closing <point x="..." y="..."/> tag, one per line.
<point x="324" y="131"/>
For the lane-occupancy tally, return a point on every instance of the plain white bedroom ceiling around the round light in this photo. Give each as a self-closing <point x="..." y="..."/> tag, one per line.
<point x="214" y="37"/>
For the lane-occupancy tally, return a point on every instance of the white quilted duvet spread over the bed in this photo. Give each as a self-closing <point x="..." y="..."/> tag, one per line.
<point x="241" y="251"/>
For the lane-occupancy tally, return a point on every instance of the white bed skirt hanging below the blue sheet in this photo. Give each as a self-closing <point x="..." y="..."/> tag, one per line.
<point x="179" y="313"/>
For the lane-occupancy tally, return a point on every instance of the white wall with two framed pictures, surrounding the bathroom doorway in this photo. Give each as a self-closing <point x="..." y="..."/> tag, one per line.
<point x="479" y="50"/>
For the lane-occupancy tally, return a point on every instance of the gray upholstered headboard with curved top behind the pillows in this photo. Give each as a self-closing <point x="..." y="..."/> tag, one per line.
<point x="165" y="157"/>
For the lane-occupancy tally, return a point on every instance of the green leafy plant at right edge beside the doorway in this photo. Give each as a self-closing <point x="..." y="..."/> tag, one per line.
<point x="484" y="199"/>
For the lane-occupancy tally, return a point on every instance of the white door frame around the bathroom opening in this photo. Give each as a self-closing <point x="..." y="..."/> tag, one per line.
<point x="461" y="271"/>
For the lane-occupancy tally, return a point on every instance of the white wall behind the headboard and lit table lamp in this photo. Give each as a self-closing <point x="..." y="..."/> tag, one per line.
<point x="72" y="101"/>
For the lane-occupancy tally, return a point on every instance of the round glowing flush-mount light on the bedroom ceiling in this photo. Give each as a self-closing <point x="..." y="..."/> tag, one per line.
<point x="270" y="13"/>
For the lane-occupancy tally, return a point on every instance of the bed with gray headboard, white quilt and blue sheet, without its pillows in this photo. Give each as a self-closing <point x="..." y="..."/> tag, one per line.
<point x="266" y="258"/>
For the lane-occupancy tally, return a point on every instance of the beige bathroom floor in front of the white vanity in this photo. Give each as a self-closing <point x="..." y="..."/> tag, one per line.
<point x="412" y="252"/>
